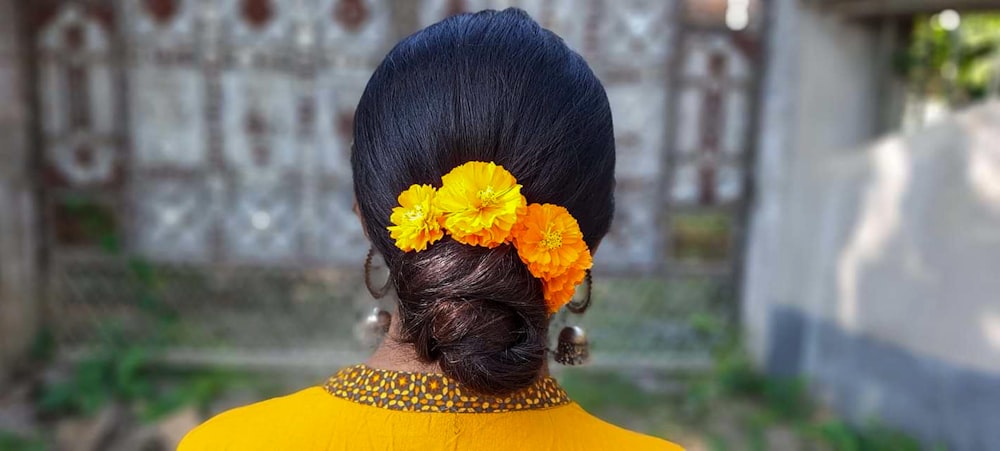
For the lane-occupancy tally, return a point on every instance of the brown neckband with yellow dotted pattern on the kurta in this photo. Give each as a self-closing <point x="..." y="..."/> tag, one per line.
<point x="428" y="392"/>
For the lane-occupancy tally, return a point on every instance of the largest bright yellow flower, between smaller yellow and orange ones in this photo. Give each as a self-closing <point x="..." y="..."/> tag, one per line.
<point x="480" y="202"/>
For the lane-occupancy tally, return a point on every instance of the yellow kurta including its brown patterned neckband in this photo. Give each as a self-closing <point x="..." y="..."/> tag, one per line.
<point x="361" y="408"/>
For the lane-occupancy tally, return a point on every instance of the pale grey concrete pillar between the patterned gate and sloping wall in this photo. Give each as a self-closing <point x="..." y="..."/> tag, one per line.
<point x="820" y="96"/>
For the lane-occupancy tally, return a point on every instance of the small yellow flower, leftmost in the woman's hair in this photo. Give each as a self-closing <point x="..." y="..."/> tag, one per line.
<point x="417" y="221"/>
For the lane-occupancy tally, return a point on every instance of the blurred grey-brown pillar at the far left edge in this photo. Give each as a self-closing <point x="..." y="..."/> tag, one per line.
<point x="17" y="243"/>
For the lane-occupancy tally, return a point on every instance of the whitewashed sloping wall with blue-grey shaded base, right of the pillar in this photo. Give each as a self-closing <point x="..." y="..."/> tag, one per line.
<point x="889" y="266"/>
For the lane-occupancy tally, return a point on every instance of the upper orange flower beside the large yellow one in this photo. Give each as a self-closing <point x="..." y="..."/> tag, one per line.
<point x="548" y="239"/>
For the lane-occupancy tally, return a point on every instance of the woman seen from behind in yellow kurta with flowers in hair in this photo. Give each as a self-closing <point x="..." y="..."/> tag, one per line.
<point x="483" y="167"/>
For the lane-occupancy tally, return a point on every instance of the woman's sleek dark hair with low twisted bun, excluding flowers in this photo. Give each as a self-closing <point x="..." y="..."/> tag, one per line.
<point x="492" y="86"/>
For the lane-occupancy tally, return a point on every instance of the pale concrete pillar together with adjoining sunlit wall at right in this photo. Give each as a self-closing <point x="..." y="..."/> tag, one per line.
<point x="872" y="262"/>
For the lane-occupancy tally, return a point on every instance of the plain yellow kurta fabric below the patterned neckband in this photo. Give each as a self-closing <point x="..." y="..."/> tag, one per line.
<point x="314" y="419"/>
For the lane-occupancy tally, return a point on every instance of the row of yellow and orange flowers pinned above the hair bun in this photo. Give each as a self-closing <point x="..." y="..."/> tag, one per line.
<point x="480" y="204"/>
